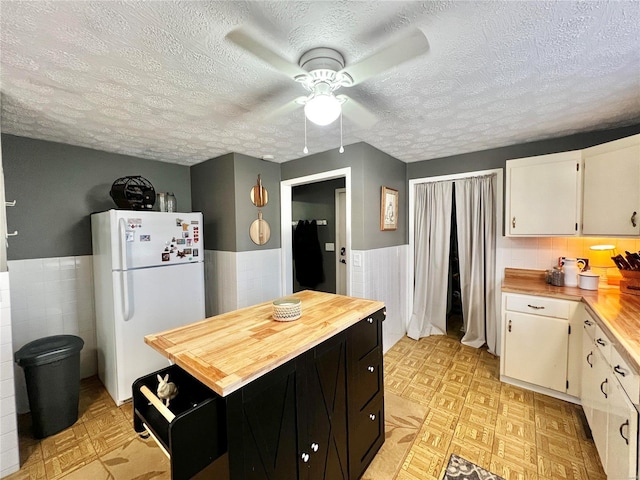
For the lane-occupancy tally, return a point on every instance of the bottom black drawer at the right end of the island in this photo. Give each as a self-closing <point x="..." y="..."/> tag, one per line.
<point x="368" y="436"/>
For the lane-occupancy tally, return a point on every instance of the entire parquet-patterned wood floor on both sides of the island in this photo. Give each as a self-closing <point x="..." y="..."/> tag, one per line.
<point x="507" y="430"/>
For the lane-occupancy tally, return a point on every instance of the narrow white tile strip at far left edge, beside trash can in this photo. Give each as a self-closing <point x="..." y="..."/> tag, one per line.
<point x="9" y="454"/>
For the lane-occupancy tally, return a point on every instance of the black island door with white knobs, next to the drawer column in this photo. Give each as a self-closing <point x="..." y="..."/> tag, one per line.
<point x="322" y="407"/>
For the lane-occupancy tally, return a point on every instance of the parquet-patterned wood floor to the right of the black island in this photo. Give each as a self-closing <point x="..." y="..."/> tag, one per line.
<point x="507" y="430"/>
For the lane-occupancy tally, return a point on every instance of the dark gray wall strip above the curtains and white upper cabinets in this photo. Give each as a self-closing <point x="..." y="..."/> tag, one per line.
<point x="497" y="157"/>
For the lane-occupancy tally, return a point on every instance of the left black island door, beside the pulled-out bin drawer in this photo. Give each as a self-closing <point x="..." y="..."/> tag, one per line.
<point x="262" y="427"/>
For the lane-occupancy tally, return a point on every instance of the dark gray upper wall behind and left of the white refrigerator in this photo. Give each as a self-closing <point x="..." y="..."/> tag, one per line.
<point x="57" y="186"/>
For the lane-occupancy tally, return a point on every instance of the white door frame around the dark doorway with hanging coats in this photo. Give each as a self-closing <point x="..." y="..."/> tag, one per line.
<point x="286" y="234"/>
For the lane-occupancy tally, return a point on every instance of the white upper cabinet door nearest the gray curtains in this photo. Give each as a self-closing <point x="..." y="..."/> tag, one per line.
<point x="543" y="195"/>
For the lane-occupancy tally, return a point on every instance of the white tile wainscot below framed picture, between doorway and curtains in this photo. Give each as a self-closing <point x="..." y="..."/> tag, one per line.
<point x="382" y="275"/>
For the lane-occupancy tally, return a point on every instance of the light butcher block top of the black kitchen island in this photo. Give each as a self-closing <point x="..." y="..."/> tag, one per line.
<point x="228" y="351"/>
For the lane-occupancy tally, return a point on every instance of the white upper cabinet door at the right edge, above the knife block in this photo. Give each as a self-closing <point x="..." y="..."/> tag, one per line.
<point x="611" y="189"/>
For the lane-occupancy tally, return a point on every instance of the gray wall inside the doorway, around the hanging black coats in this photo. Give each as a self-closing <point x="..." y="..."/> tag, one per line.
<point x="317" y="201"/>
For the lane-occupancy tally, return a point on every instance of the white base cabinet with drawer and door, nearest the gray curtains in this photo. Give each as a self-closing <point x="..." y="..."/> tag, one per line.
<point x="541" y="344"/>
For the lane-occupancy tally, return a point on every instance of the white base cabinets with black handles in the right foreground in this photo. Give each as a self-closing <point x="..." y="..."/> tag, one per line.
<point x="609" y="389"/>
